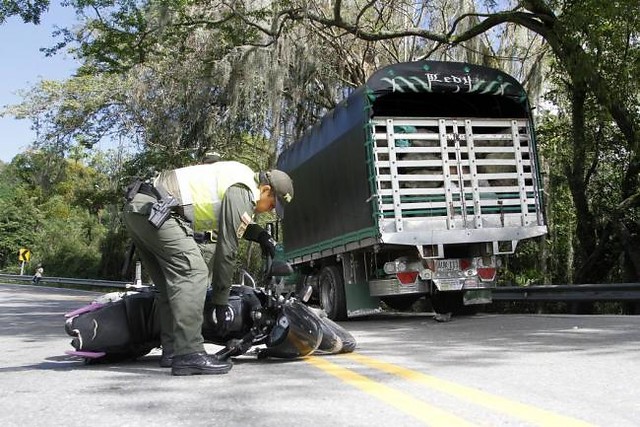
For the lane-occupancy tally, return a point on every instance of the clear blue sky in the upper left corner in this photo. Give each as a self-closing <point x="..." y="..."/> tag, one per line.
<point x="22" y="65"/>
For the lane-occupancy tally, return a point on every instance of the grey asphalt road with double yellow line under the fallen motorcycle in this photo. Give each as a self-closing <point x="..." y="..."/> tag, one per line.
<point x="408" y="370"/>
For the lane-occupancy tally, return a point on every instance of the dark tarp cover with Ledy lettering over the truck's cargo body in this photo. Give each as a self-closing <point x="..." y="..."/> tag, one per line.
<point x="330" y="164"/>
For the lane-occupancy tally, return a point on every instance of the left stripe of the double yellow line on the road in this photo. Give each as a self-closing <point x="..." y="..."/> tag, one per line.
<point x="426" y="413"/>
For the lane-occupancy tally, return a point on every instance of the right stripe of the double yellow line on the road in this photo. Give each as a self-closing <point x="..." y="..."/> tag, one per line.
<point x="519" y="410"/>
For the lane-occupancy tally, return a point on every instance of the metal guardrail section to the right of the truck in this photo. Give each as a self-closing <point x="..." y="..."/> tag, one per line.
<point x="569" y="293"/>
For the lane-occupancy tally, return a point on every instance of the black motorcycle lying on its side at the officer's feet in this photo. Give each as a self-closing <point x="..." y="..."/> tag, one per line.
<point x="125" y="325"/>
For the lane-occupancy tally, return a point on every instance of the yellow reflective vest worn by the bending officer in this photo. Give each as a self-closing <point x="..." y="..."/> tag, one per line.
<point x="199" y="189"/>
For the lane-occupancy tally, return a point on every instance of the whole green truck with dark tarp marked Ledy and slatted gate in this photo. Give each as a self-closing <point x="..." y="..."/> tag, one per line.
<point x="413" y="186"/>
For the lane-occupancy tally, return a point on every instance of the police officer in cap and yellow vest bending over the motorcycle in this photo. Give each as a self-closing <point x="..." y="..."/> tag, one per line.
<point x="222" y="197"/>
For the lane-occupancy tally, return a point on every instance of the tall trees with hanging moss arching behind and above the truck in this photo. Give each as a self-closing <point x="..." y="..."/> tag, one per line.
<point x="177" y="78"/>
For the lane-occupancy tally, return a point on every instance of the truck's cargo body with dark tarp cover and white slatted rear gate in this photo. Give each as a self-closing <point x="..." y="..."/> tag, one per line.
<point x="426" y="153"/>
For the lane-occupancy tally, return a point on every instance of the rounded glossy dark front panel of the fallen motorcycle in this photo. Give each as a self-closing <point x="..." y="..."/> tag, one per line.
<point x="297" y="332"/>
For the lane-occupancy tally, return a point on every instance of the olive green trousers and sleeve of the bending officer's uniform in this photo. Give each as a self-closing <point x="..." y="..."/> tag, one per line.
<point x="177" y="267"/>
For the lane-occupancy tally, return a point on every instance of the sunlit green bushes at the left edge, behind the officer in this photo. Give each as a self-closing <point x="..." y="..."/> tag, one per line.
<point x="62" y="218"/>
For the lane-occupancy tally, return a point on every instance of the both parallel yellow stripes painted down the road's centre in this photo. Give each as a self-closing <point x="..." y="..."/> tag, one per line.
<point x="430" y="414"/>
